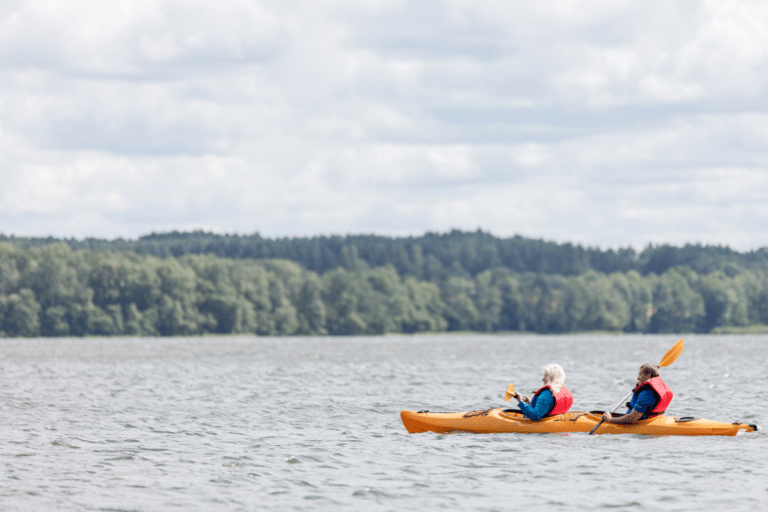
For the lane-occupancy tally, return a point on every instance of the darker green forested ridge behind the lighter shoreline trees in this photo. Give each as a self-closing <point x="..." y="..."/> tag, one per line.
<point x="433" y="257"/>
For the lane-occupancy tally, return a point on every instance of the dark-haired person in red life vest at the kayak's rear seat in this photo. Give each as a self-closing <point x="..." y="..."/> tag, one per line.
<point x="651" y="397"/>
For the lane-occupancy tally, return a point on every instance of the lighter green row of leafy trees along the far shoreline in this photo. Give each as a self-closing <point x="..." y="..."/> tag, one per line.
<point x="55" y="290"/>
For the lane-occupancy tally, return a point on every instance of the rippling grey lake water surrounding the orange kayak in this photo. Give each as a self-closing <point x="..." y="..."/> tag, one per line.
<point x="227" y="423"/>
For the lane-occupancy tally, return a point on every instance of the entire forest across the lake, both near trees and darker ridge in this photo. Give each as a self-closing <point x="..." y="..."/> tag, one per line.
<point x="199" y="283"/>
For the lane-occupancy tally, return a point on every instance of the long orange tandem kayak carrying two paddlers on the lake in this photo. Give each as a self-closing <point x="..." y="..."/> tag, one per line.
<point x="492" y="421"/>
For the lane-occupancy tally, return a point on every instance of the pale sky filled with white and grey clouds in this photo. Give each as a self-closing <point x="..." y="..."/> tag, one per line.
<point x="606" y="123"/>
